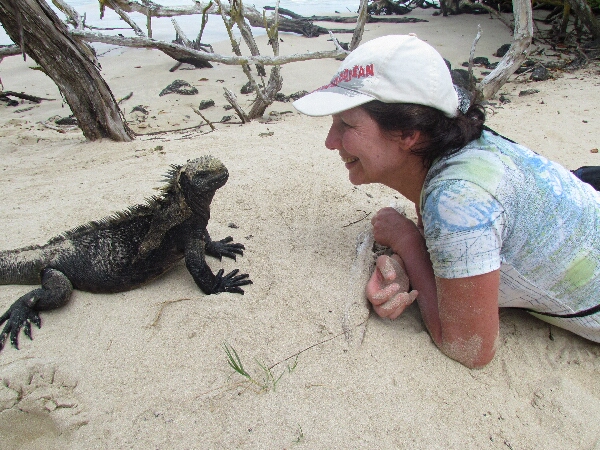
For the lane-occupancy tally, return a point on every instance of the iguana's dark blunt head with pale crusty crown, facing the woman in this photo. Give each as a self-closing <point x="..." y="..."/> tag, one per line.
<point x="198" y="180"/>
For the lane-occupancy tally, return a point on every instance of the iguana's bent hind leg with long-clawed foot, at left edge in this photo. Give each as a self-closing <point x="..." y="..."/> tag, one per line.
<point x="55" y="291"/>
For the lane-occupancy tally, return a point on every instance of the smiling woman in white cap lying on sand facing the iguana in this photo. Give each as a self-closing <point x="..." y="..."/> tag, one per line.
<point x="498" y="224"/>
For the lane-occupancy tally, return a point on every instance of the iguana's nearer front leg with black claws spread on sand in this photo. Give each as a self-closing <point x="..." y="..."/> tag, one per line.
<point x="195" y="261"/>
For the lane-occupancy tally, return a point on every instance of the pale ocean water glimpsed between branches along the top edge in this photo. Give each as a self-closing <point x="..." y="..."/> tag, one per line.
<point x="162" y="28"/>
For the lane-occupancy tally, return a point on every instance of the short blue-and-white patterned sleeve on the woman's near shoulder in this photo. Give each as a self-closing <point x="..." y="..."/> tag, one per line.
<point x="464" y="226"/>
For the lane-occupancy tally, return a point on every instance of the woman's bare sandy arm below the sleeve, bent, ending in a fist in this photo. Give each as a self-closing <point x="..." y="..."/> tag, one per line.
<point x="460" y="314"/>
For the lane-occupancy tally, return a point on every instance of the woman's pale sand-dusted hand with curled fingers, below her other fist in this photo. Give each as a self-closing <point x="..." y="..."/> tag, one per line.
<point x="388" y="287"/>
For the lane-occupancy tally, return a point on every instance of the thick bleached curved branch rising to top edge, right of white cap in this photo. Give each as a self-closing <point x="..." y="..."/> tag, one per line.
<point x="517" y="53"/>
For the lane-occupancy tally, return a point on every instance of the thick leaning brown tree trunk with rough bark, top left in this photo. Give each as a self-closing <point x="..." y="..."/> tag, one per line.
<point x="70" y="63"/>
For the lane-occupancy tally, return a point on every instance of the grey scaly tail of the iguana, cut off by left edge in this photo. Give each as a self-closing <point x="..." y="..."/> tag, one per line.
<point x="24" y="265"/>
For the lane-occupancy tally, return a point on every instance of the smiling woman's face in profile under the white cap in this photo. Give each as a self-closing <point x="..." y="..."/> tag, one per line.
<point x="369" y="155"/>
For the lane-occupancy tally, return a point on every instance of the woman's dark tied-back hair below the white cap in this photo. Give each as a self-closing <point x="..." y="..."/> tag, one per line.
<point x="444" y="135"/>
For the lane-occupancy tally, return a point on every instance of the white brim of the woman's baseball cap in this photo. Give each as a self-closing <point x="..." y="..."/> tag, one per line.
<point x="329" y="101"/>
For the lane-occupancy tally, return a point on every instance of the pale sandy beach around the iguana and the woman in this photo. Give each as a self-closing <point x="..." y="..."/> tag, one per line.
<point x="148" y="368"/>
